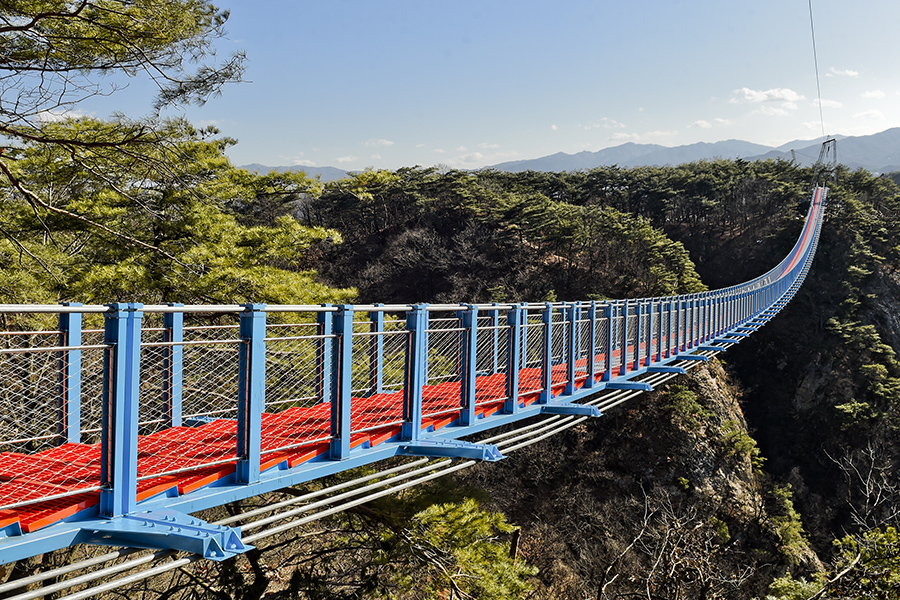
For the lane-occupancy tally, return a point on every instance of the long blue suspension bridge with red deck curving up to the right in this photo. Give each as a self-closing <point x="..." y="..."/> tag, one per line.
<point x="120" y="421"/>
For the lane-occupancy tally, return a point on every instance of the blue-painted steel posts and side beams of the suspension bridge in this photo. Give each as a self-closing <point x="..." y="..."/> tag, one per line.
<point x="670" y="329"/>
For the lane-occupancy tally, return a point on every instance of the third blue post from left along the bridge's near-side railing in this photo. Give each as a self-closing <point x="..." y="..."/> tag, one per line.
<point x="342" y="383"/>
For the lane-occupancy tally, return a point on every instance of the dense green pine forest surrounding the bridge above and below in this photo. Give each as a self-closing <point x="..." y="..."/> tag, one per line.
<point x="772" y="472"/>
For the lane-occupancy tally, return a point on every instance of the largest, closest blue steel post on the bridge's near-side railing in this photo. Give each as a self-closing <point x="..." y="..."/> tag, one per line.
<point x="121" y="385"/>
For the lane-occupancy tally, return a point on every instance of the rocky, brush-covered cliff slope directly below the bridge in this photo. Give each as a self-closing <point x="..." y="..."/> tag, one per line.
<point x="664" y="491"/>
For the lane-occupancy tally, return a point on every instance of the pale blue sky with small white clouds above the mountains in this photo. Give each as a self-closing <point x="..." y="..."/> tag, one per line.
<point x="469" y="83"/>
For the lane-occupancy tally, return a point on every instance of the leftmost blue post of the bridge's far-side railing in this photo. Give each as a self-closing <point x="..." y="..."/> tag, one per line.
<point x="69" y="417"/>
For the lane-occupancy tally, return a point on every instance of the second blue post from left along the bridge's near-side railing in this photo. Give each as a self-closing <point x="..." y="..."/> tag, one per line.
<point x="251" y="392"/>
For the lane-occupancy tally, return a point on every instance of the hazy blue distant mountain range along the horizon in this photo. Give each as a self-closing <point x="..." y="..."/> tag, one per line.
<point x="879" y="153"/>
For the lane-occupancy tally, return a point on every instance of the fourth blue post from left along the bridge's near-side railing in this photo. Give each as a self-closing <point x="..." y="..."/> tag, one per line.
<point x="416" y="371"/>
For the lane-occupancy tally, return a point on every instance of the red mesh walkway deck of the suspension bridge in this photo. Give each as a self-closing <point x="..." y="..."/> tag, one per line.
<point x="205" y="454"/>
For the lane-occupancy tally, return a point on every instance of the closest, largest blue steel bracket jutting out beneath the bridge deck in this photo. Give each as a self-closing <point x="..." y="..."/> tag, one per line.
<point x="168" y="529"/>
